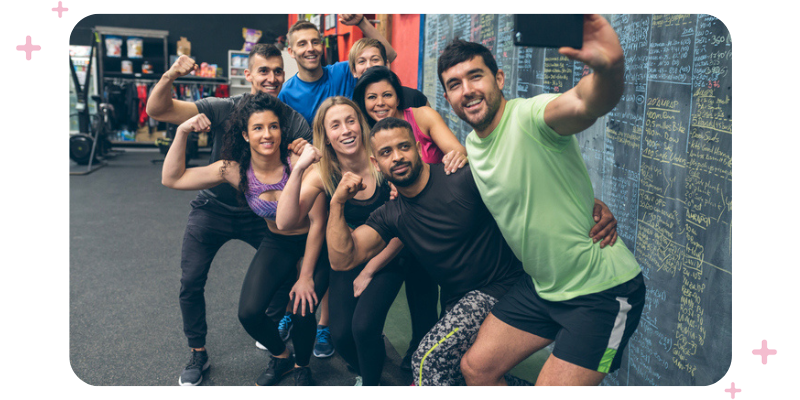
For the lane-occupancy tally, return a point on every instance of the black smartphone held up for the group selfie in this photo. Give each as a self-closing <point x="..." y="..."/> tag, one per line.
<point x="548" y="30"/>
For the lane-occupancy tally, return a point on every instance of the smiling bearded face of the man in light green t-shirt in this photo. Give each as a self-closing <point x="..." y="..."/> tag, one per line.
<point x="474" y="93"/>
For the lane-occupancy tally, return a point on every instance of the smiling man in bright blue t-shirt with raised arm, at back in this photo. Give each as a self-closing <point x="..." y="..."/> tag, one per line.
<point x="314" y="83"/>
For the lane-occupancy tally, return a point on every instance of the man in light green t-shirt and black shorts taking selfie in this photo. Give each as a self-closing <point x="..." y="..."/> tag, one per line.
<point x="530" y="173"/>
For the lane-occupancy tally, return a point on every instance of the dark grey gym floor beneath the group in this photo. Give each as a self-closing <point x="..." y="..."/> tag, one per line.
<point x="125" y="324"/>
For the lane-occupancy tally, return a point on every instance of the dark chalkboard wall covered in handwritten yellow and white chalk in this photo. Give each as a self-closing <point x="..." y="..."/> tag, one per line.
<point x="661" y="160"/>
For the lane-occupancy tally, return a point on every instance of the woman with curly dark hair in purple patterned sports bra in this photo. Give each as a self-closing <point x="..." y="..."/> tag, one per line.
<point x="257" y="161"/>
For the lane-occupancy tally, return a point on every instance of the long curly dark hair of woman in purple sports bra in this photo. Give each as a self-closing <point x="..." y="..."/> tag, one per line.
<point x="235" y="148"/>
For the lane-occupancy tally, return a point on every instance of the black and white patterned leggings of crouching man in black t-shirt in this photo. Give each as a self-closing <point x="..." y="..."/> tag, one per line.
<point x="437" y="361"/>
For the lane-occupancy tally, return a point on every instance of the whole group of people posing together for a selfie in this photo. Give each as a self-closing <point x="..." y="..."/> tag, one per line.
<point x="348" y="185"/>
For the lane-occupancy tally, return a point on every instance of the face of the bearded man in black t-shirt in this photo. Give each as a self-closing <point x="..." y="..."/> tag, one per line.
<point x="396" y="156"/>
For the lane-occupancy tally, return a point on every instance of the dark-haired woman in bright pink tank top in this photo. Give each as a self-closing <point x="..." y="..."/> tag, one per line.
<point x="379" y="95"/>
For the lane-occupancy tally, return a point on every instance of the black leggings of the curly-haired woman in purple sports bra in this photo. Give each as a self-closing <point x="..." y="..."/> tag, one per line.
<point x="275" y="262"/>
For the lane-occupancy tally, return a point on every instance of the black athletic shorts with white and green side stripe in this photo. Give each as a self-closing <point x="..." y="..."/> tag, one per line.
<point x="590" y="331"/>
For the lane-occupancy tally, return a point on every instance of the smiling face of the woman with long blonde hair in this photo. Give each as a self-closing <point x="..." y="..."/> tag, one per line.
<point x="343" y="129"/>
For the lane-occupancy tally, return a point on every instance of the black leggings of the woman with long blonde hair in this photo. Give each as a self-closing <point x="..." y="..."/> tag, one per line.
<point x="356" y="323"/>
